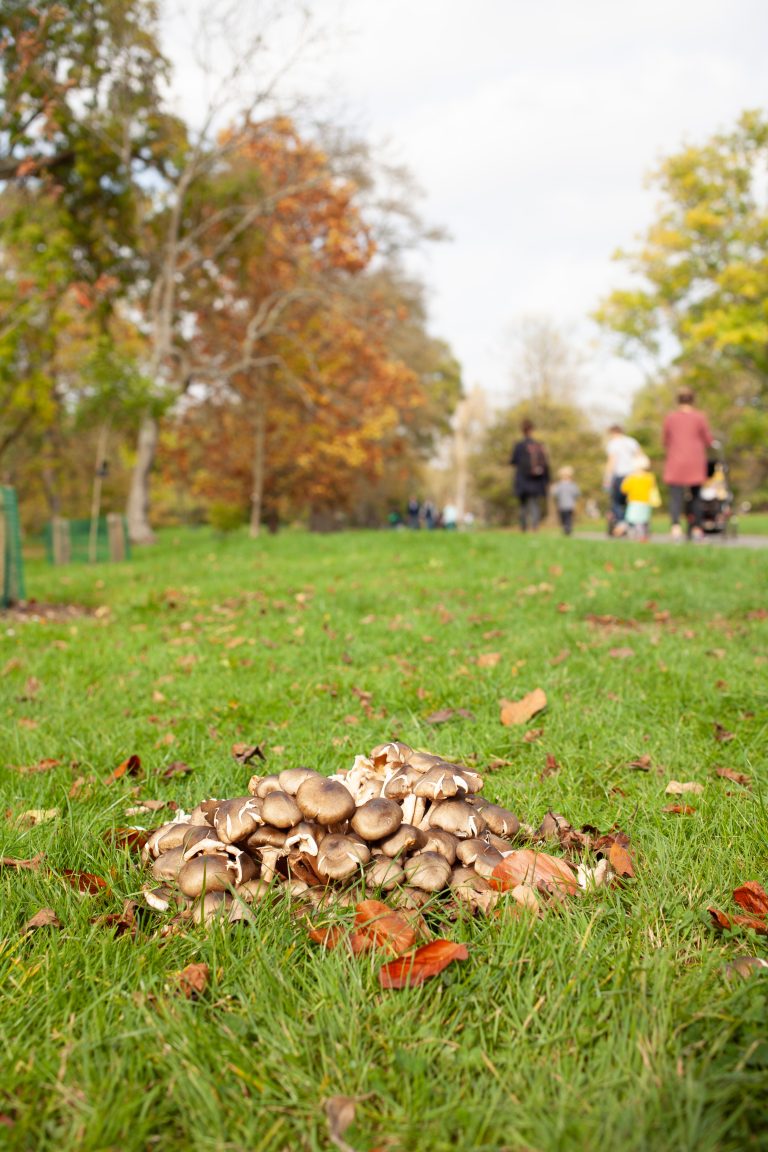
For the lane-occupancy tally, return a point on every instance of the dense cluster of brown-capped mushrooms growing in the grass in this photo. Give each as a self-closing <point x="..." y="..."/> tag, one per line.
<point x="401" y="823"/>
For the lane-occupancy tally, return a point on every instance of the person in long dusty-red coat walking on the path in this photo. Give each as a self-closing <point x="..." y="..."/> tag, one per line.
<point x="687" y="438"/>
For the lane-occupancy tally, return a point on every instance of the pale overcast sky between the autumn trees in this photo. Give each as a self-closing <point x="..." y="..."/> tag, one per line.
<point x="530" y="127"/>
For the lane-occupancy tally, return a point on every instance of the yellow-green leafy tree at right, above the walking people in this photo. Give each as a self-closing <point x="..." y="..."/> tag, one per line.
<point x="698" y="313"/>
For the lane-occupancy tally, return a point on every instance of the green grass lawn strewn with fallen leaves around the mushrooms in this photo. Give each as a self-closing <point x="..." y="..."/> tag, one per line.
<point x="610" y="1025"/>
